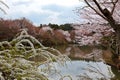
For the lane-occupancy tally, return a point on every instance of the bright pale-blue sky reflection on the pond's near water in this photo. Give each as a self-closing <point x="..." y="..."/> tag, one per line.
<point x="79" y="69"/>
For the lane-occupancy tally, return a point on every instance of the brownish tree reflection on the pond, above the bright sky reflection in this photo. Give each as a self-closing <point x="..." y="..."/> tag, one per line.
<point x="76" y="52"/>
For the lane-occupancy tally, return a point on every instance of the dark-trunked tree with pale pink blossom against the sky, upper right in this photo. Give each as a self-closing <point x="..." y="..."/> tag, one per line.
<point x="109" y="11"/>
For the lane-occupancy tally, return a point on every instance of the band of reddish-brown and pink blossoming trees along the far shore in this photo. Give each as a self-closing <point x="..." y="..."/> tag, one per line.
<point x="83" y="34"/>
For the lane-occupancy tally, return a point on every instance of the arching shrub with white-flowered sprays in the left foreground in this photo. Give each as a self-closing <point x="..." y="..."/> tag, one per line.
<point x="17" y="58"/>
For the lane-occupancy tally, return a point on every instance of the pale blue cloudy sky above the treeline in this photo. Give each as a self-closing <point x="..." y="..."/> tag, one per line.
<point x="43" y="11"/>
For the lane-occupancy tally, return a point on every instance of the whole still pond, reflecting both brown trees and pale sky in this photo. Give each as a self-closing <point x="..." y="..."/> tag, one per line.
<point x="90" y="68"/>
